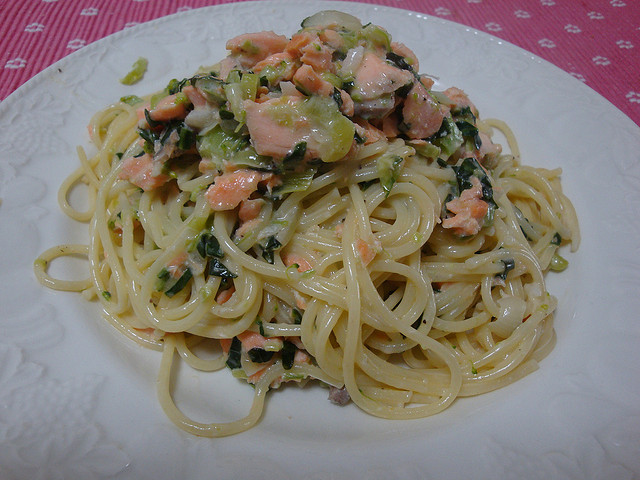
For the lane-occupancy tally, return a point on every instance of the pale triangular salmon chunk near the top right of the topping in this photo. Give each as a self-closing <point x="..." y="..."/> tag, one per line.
<point x="376" y="77"/>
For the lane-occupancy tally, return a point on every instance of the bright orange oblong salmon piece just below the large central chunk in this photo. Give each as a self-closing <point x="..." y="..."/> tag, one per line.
<point x="229" y="189"/>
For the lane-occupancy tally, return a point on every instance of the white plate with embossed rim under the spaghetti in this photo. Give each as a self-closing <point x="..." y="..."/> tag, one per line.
<point x="77" y="400"/>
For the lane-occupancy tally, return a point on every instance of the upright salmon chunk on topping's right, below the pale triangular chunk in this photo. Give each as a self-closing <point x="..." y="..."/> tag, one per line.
<point x="421" y="113"/>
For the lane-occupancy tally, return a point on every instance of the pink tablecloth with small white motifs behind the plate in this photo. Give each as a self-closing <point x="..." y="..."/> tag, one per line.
<point x="596" y="41"/>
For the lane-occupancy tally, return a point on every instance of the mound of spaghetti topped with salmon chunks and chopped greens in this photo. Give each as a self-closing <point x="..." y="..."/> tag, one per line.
<point x="311" y="208"/>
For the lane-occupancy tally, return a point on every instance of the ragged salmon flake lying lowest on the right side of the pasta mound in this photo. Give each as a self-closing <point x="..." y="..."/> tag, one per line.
<point x="469" y="209"/>
